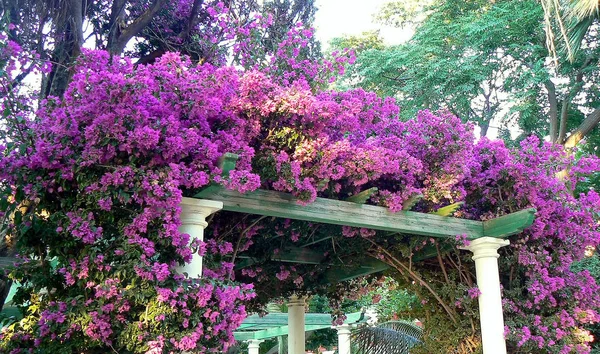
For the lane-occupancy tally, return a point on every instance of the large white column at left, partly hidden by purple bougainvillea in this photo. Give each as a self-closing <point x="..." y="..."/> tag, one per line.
<point x="193" y="223"/>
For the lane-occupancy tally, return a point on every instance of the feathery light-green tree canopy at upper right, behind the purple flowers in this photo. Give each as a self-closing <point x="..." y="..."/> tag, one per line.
<point x="484" y="61"/>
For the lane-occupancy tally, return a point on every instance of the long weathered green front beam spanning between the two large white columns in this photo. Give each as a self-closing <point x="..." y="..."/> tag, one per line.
<point x="283" y="205"/>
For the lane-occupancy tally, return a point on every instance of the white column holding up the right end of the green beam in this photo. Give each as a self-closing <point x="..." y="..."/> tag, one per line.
<point x="485" y="255"/>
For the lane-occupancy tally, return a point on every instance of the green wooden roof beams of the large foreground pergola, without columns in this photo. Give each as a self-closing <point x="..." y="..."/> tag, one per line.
<point x="354" y="212"/>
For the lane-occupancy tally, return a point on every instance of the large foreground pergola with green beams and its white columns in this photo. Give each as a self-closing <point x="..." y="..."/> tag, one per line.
<point x="486" y="237"/>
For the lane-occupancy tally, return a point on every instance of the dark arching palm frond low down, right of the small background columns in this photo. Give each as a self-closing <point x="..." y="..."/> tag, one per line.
<point x="393" y="337"/>
